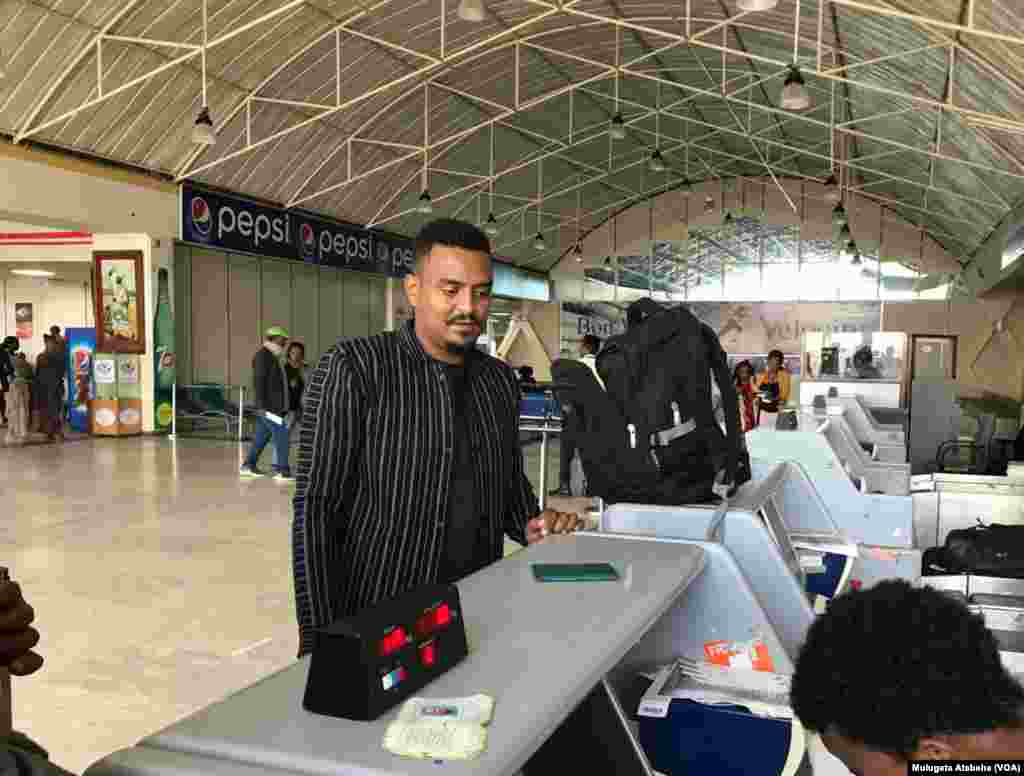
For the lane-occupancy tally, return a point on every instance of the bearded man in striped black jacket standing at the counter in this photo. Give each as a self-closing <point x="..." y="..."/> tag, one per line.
<point x="410" y="470"/>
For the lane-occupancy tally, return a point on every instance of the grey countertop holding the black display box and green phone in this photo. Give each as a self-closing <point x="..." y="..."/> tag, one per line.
<point x="537" y="649"/>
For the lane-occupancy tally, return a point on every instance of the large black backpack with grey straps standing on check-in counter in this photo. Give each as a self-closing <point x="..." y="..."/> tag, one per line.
<point x="651" y="436"/>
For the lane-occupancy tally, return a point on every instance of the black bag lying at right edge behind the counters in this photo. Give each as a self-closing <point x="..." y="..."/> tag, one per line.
<point x="987" y="550"/>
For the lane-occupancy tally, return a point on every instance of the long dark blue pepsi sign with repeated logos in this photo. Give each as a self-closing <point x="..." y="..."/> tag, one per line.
<point x="235" y="224"/>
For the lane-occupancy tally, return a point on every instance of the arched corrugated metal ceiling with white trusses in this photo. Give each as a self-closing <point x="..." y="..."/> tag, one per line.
<point x="338" y="108"/>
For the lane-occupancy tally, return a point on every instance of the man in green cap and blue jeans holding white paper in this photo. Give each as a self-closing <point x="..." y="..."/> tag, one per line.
<point x="273" y="403"/>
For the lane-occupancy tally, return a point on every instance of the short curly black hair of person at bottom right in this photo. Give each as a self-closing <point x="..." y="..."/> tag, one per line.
<point x="894" y="664"/>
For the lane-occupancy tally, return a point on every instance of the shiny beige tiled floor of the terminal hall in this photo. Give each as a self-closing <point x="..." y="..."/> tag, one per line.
<point x="161" y="584"/>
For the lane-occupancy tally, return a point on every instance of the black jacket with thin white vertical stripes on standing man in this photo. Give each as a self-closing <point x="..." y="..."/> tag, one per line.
<point x="375" y="461"/>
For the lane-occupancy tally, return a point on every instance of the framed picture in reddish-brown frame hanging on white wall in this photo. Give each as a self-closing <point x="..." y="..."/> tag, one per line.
<point x="120" y="303"/>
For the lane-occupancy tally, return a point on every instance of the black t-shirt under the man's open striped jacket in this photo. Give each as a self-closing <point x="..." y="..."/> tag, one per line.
<point x="464" y="550"/>
